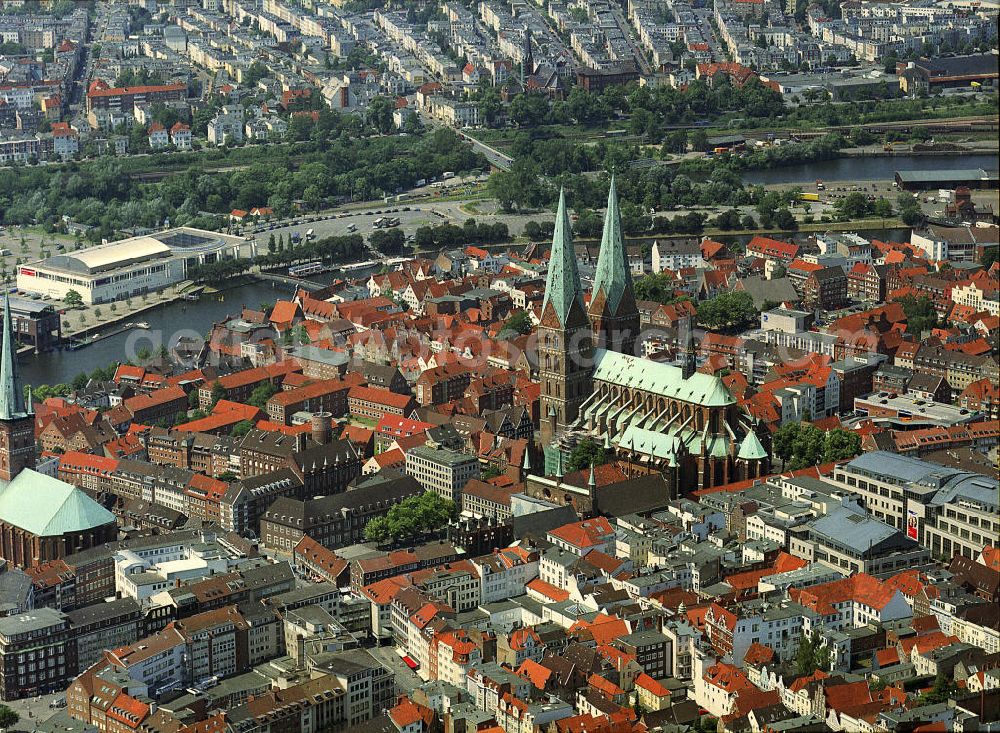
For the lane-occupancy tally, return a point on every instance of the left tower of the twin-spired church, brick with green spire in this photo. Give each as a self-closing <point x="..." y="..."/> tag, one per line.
<point x="565" y="348"/>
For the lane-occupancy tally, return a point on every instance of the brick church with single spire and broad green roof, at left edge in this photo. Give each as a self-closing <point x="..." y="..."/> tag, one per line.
<point x="41" y="518"/>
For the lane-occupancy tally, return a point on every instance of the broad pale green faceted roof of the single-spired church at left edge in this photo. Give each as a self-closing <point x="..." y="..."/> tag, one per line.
<point x="47" y="507"/>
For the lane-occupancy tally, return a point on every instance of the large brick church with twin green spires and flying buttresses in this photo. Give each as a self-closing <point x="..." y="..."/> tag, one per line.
<point x="655" y="416"/>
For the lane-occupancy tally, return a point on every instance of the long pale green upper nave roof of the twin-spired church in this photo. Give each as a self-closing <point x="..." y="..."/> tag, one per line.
<point x="656" y="377"/>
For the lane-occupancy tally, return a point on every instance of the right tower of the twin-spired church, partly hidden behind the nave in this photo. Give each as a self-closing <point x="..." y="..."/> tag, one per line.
<point x="613" y="310"/>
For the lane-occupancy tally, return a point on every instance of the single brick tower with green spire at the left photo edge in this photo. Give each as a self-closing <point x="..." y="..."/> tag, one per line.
<point x="17" y="423"/>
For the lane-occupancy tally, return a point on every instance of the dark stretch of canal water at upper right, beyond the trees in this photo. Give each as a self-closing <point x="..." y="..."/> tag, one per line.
<point x="873" y="168"/>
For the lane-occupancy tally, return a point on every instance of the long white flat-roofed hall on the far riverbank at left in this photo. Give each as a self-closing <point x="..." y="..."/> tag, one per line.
<point x="130" y="267"/>
